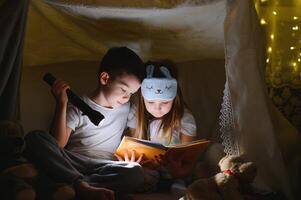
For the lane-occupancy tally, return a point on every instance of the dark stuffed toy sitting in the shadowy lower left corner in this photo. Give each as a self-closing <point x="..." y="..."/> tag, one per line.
<point x="19" y="179"/>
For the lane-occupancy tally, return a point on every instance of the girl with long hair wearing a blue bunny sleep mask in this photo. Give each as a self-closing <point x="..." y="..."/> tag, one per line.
<point x="161" y="116"/>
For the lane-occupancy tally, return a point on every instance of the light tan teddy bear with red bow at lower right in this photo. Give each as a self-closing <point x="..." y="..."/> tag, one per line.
<point x="233" y="180"/>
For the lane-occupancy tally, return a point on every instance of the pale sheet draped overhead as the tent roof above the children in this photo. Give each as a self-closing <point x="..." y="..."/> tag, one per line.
<point x="85" y="32"/>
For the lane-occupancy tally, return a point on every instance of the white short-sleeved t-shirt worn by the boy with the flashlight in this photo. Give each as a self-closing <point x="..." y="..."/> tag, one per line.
<point x="100" y="141"/>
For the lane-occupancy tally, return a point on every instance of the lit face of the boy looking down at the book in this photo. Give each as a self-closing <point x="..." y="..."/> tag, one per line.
<point x="119" y="90"/>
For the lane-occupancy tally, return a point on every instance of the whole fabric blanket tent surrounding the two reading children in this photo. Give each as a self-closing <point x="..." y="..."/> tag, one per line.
<point x="218" y="47"/>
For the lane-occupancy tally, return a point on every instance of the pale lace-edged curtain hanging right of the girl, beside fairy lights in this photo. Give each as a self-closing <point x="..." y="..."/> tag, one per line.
<point x="251" y="119"/>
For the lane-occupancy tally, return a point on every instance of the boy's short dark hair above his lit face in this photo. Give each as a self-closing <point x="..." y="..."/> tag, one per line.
<point x="119" y="60"/>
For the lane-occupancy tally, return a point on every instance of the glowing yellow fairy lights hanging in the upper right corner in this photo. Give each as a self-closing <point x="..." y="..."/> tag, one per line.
<point x="281" y="20"/>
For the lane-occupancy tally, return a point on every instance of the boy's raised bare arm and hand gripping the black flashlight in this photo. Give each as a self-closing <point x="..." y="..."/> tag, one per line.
<point x="59" y="130"/>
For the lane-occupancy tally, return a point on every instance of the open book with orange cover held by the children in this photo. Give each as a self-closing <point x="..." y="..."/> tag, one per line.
<point x="151" y="149"/>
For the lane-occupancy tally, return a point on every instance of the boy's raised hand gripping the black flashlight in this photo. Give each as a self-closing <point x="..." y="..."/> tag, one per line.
<point x="58" y="90"/>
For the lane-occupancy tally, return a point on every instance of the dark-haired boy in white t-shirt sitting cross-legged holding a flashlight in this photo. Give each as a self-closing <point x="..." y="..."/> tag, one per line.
<point x="80" y="153"/>
